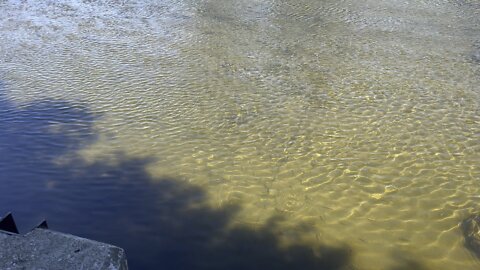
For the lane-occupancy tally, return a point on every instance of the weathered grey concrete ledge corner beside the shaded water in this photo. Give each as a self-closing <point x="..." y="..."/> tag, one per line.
<point x="45" y="249"/>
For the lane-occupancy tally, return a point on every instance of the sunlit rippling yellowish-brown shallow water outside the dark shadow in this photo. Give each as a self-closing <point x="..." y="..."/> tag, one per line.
<point x="360" y="119"/>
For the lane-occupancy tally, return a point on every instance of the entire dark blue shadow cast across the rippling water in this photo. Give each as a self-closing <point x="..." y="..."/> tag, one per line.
<point x="162" y="223"/>
